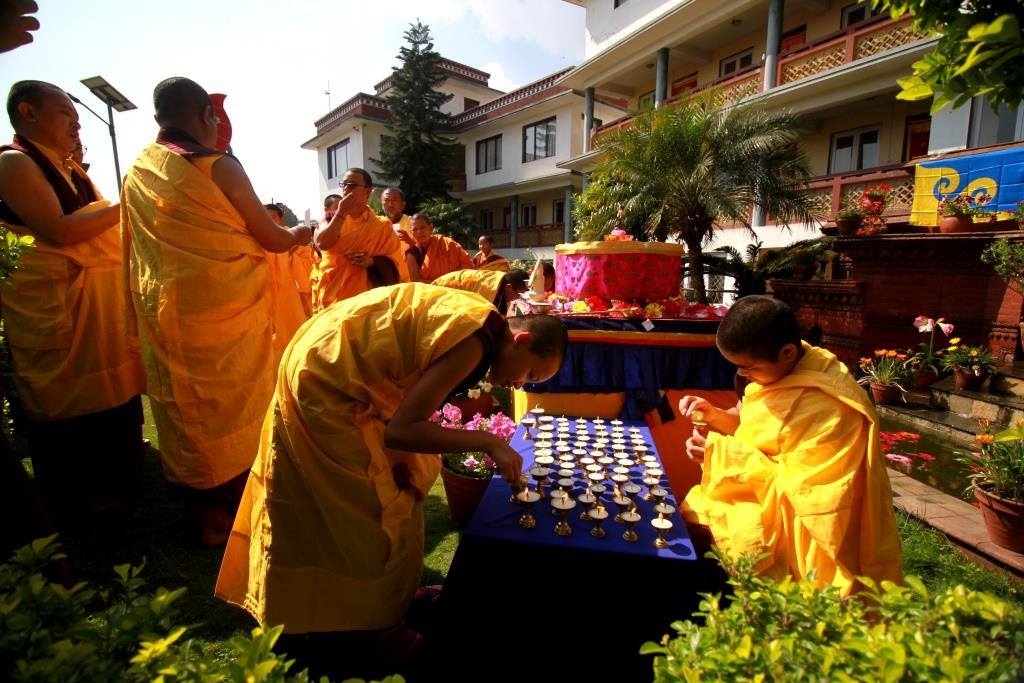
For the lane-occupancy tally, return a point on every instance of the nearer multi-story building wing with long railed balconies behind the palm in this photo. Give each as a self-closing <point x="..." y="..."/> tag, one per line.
<point x="832" y="61"/>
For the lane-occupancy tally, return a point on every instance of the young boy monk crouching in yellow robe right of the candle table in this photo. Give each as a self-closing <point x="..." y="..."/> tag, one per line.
<point x="798" y="473"/>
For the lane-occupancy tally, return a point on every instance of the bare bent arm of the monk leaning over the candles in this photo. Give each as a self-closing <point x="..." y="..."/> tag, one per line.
<point x="411" y="429"/>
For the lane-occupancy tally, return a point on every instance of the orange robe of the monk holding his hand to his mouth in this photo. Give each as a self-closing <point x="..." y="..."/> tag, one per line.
<point x="336" y="278"/>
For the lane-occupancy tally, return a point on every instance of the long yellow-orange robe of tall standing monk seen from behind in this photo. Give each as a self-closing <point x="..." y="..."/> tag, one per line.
<point x="203" y="308"/>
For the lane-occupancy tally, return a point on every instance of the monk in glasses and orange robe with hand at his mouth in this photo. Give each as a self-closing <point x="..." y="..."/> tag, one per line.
<point x="360" y="249"/>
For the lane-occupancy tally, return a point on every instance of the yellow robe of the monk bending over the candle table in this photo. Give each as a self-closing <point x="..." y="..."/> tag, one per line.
<point x="325" y="540"/>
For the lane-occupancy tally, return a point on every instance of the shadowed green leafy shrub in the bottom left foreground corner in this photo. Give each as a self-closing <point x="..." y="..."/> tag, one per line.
<point x="53" y="633"/>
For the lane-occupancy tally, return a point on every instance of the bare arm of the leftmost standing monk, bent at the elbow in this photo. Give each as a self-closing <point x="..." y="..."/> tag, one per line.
<point x="26" y="190"/>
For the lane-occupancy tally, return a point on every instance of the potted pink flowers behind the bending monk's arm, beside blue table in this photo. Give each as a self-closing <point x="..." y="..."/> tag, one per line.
<point x="466" y="476"/>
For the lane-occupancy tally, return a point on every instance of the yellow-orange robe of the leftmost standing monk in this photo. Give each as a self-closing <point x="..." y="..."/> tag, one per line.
<point x="64" y="318"/>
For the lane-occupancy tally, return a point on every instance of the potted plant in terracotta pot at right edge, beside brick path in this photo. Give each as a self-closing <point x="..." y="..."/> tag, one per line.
<point x="998" y="485"/>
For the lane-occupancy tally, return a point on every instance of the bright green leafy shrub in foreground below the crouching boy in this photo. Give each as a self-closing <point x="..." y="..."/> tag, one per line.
<point x="793" y="631"/>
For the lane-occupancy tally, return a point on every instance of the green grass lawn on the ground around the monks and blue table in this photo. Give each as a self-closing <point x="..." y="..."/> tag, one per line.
<point x="150" y="532"/>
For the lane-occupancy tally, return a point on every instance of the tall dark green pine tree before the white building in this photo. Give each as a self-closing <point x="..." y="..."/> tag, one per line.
<point x="415" y="153"/>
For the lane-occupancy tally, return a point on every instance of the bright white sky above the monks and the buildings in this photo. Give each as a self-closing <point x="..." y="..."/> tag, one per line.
<point x="274" y="60"/>
